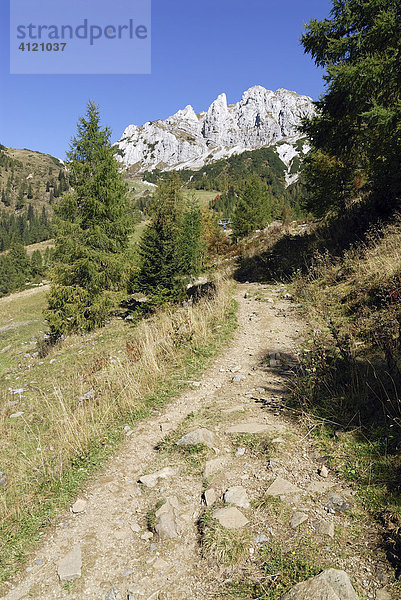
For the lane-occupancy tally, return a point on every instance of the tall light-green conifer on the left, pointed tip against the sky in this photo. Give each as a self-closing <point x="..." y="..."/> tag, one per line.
<point x="92" y="233"/>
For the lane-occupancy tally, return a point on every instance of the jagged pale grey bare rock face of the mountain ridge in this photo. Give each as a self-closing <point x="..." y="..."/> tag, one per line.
<point x="190" y="140"/>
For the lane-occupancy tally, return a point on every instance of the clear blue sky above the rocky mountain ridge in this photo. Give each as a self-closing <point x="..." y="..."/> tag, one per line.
<point x="199" y="49"/>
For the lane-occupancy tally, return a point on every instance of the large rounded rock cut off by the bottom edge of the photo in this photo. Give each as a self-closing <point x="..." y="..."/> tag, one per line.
<point x="331" y="584"/>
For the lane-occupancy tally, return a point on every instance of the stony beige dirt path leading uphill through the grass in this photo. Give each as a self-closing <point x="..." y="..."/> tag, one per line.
<point x="254" y="444"/>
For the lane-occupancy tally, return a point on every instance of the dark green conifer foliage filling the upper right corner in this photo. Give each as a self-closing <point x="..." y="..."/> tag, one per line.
<point x="356" y="135"/>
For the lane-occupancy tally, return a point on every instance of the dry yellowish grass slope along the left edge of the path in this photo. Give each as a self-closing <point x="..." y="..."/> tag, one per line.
<point x="77" y="401"/>
